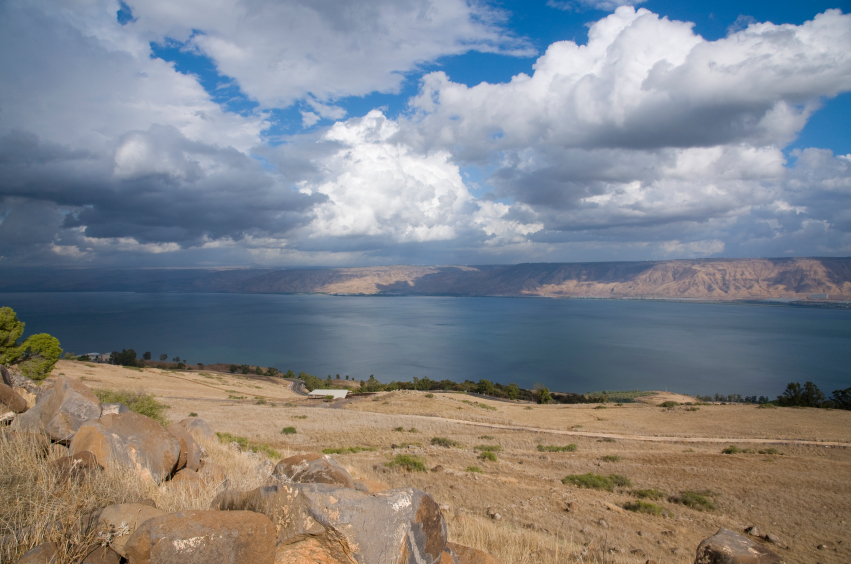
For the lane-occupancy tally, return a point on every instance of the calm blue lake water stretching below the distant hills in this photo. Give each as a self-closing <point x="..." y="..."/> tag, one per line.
<point x="568" y="345"/>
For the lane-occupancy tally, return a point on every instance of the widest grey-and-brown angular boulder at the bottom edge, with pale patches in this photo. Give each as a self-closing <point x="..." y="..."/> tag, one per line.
<point x="392" y="527"/>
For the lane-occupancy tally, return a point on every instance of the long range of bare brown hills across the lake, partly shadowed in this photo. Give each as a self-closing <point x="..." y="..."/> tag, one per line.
<point x="705" y="279"/>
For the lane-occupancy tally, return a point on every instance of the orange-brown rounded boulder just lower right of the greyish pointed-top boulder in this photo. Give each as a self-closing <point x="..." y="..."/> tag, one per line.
<point x="131" y="440"/>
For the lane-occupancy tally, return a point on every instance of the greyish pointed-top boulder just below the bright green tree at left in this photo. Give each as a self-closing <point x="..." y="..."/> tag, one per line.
<point x="60" y="410"/>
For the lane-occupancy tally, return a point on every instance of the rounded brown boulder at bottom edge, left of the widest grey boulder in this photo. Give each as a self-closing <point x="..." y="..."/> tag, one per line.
<point x="203" y="537"/>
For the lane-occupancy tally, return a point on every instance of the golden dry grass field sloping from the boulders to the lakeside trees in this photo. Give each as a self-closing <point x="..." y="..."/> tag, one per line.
<point x="799" y="492"/>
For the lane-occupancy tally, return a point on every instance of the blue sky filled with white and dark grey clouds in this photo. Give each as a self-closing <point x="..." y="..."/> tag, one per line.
<point x="295" y="133"/>
